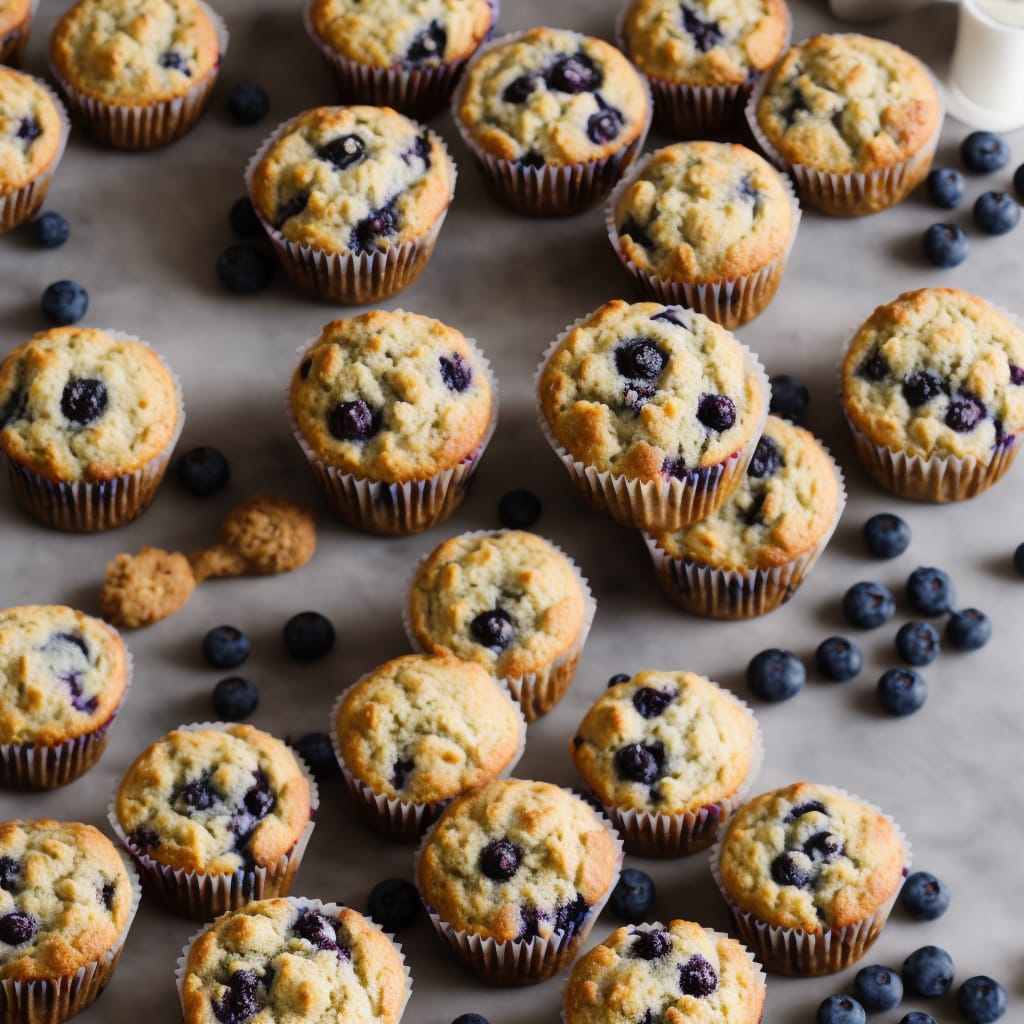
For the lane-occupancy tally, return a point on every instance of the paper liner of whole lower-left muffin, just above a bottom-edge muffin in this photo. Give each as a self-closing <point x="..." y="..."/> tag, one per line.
<point x="201" y="895"/>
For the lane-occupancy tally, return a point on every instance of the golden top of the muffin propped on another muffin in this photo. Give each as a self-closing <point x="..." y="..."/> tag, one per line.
<point x="651" y="392"/>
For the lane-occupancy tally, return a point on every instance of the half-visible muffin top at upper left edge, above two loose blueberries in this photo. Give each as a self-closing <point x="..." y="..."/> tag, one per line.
<point x="30" y="130"/>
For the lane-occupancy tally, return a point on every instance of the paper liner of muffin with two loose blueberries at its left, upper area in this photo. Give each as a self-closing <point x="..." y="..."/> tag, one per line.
<point x="346" y="278"/>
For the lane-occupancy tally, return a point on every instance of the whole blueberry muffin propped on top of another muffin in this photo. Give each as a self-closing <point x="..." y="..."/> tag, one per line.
<point x="654" y="410"/>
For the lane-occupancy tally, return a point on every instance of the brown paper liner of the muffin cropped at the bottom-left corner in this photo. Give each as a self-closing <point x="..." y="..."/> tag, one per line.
<point x="53" y="1001"/>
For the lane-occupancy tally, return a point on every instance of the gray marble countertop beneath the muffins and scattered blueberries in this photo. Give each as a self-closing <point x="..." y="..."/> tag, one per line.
<point x="147" y="230"/>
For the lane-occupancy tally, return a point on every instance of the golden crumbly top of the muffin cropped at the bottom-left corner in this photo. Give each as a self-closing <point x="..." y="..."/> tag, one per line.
<point x="65" y="899"/>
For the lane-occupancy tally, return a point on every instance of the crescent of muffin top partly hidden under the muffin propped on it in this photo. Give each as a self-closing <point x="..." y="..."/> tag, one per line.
<point x="782" y="509"/>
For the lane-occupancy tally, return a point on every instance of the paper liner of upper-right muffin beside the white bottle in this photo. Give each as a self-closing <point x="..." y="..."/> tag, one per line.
<point x="851" y="194"/>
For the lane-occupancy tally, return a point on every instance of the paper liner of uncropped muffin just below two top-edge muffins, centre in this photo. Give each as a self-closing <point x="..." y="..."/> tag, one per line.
<point x="547" y="191"/>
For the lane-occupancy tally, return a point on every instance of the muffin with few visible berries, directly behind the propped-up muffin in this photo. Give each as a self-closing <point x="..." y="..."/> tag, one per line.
<point x="706" y="225"/>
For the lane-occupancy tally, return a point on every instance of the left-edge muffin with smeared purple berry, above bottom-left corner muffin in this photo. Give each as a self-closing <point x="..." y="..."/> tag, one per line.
<point x="63" y="677"/>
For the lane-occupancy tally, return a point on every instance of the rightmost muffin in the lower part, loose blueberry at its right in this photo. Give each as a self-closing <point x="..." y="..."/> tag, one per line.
<point x="809" y="862"/>
